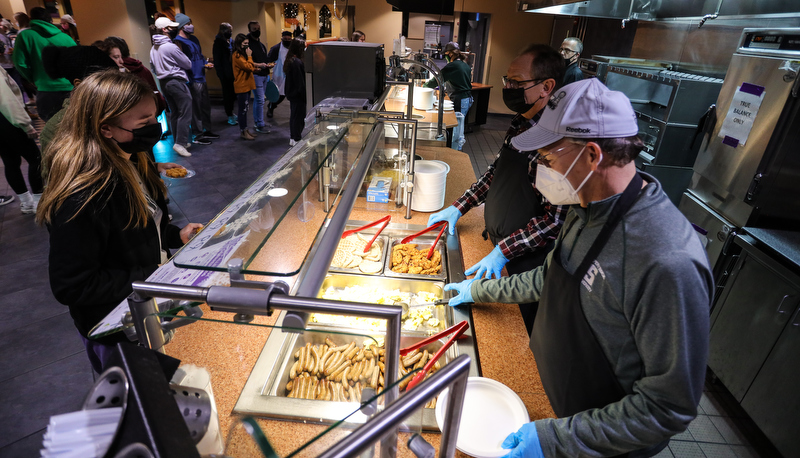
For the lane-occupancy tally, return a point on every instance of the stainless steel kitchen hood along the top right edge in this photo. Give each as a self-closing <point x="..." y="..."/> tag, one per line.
<point x="660" y="9"/>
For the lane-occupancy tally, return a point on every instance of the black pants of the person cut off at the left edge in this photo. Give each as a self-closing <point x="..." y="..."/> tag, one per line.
<point x="15" y="146"/>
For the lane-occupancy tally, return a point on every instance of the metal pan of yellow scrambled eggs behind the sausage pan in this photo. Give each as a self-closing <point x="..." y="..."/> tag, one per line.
<point x="382" y="290"/>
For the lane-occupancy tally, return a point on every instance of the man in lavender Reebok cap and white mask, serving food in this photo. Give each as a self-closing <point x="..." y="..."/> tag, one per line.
<point x="621" y="339"/>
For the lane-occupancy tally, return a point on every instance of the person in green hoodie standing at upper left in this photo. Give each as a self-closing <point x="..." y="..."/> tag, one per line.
<point x="28" y="61"/>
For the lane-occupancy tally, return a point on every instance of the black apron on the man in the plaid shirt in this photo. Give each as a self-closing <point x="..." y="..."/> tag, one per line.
<point x="511" y="201"/>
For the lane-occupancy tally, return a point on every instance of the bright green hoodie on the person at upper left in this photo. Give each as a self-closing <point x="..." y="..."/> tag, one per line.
<point x="28" y="54"/>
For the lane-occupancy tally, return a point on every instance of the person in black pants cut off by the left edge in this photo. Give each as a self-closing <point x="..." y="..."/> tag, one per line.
<point x="19" y="142"/>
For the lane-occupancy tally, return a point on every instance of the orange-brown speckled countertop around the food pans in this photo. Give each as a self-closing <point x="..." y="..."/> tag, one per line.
<point x="229" y="351"/>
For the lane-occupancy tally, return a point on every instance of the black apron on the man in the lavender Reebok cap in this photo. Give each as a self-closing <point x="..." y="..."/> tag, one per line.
<point x="574" y="370"/>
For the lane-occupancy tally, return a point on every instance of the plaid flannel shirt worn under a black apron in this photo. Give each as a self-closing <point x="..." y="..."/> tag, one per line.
<point x="539" y="230"/>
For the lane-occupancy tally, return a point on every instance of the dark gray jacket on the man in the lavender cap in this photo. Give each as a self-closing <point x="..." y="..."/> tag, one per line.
<point x="647" y="299"/>
